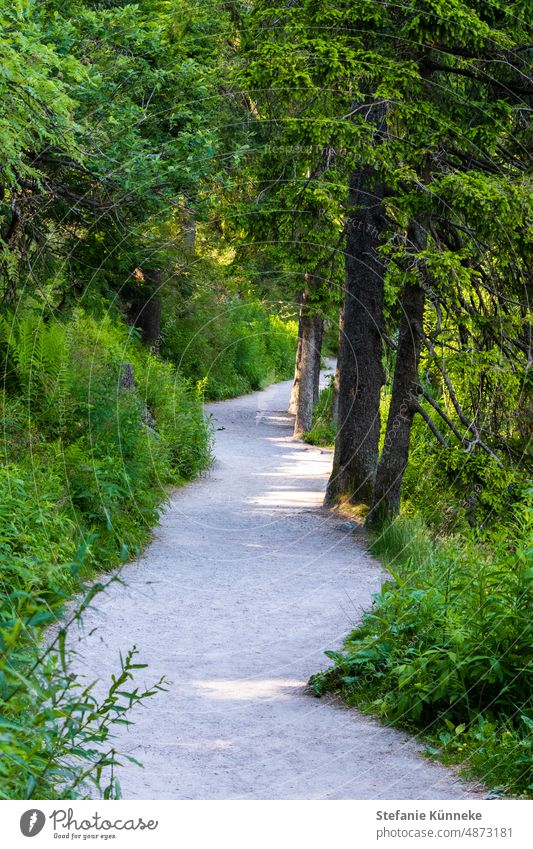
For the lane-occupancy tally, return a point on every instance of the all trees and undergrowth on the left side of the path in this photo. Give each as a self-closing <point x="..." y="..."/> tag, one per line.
<point x="115" y="326"/>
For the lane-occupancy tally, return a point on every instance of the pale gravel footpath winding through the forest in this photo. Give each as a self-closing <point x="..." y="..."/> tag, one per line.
<point x="245" y="585"/>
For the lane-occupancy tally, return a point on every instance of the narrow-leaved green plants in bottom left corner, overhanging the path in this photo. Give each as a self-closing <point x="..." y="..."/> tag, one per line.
<point x="56" y="734"/>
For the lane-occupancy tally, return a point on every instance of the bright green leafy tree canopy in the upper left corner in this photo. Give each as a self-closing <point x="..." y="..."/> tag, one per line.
<point x="112" y="131"/>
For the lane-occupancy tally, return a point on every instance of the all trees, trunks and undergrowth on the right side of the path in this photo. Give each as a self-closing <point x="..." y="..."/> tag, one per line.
<point x="414" y="159"/>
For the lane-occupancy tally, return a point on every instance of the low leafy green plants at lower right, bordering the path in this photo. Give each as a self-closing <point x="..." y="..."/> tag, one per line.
<point x="446" y="647"/>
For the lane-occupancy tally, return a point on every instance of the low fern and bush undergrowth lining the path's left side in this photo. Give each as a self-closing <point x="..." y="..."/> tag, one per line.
<point x="87" y="459"/>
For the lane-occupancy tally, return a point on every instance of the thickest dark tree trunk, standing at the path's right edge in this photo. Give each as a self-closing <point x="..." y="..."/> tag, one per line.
<point x="360" y="368"/>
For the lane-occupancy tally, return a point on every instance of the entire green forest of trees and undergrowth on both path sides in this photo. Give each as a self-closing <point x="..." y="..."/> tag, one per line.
<point x="198" y="198"/>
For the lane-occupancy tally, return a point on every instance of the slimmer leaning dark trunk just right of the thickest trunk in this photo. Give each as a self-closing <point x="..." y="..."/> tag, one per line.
<point x="404" y="400"/>
